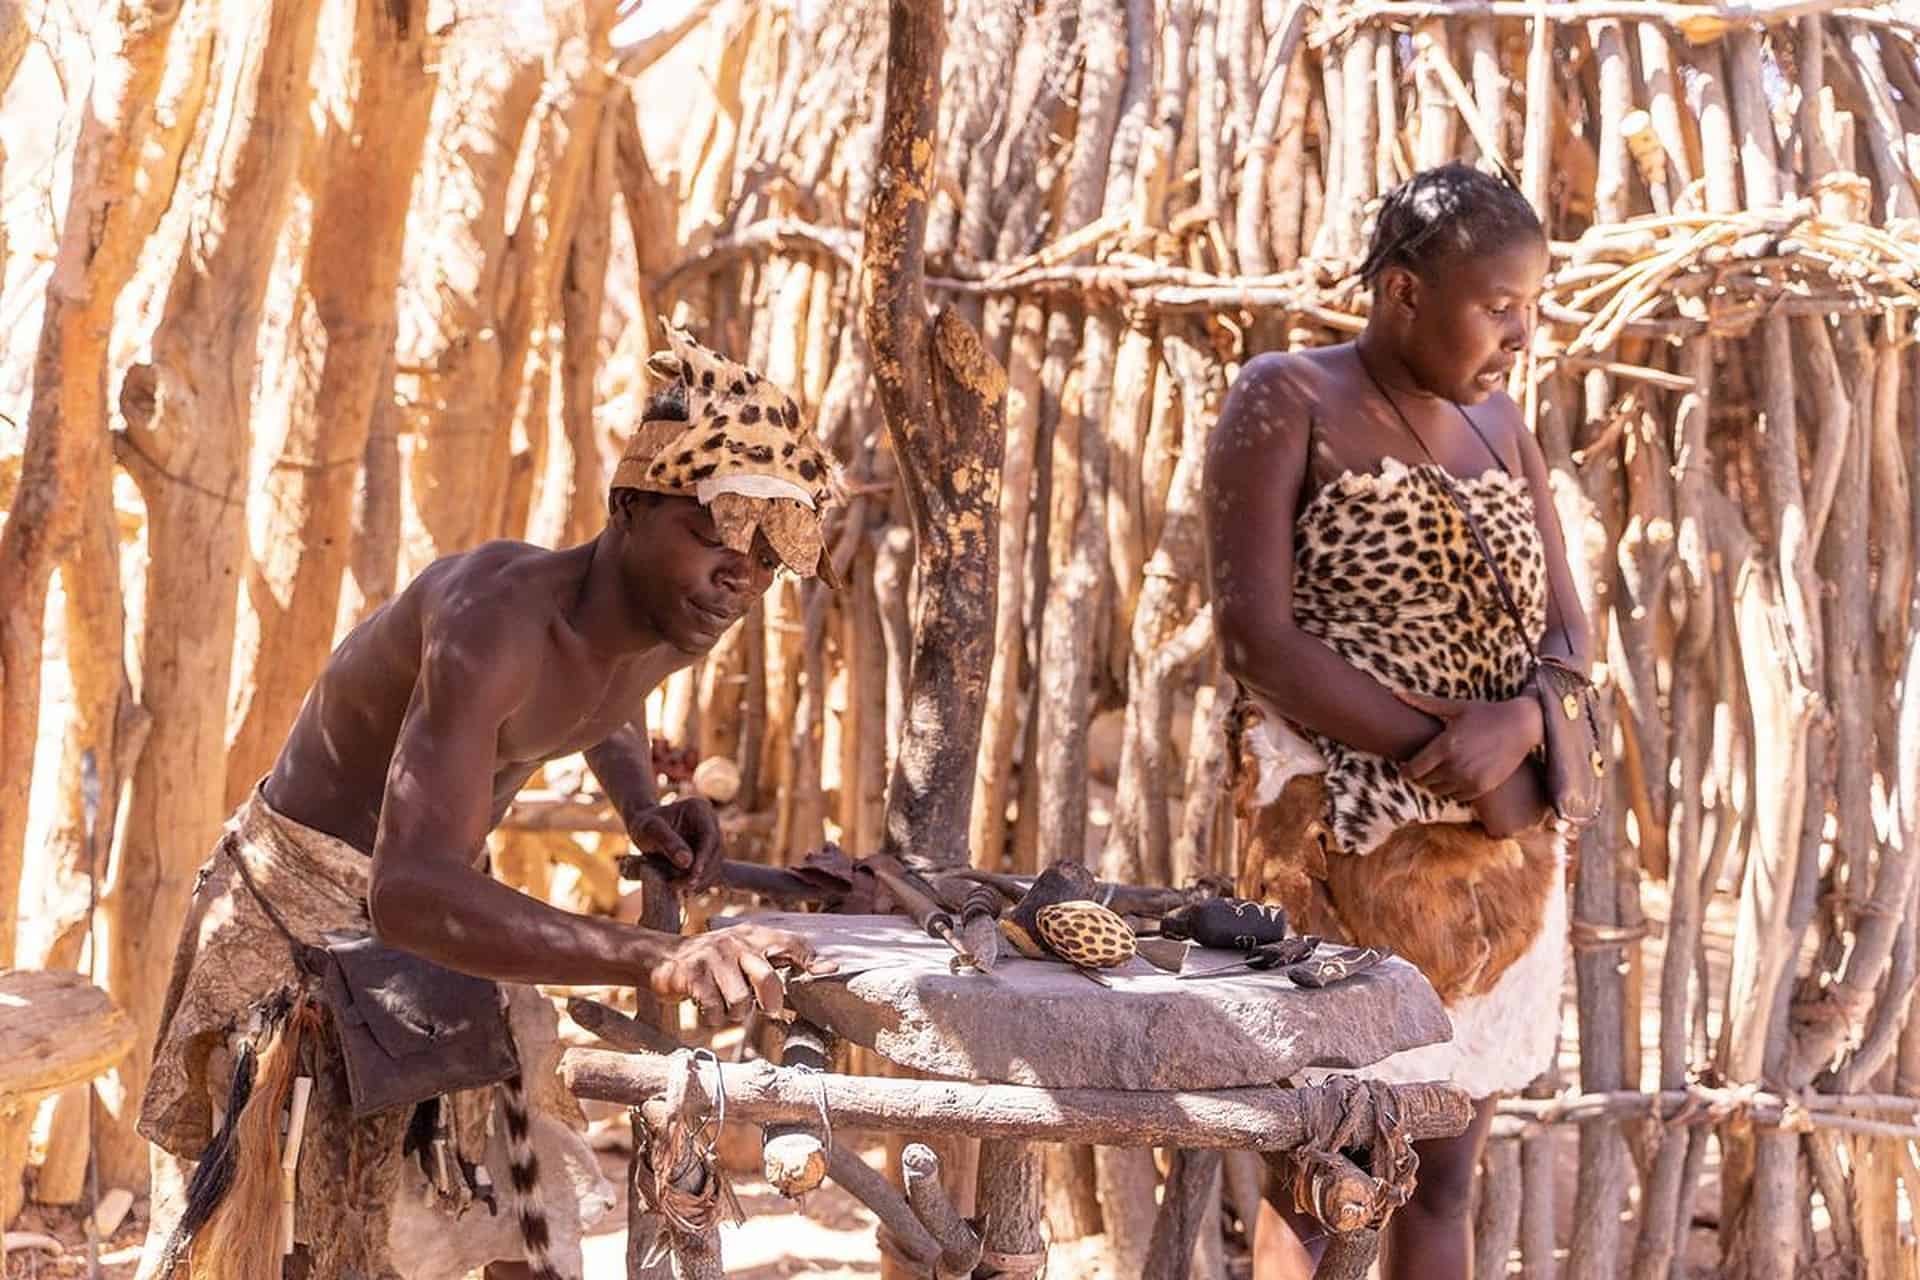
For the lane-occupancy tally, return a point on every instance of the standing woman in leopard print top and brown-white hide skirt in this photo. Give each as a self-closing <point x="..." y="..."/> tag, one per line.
<point x="1389" y="738"/>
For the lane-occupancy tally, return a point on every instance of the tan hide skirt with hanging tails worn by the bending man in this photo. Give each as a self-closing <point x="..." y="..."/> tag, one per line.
<point x="368" y="1200"/>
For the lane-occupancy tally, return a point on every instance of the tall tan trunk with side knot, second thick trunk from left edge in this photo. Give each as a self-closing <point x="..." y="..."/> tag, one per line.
<point x="187" y="446"/>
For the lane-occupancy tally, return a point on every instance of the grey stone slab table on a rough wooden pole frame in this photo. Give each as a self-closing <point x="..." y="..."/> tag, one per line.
<point x="1038" y="1039"/>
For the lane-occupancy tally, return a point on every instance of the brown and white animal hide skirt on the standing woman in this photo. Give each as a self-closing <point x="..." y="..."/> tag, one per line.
<point x="1483" y="918"/>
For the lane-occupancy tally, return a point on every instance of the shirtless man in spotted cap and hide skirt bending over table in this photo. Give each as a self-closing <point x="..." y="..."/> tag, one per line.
<point x="408" y="753"/>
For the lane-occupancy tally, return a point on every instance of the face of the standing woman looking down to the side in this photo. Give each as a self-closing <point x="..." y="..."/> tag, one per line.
<point x="1466" y="321"/>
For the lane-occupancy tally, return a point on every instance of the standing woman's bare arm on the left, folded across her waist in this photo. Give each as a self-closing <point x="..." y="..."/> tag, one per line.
<point x="1255" y="471"/>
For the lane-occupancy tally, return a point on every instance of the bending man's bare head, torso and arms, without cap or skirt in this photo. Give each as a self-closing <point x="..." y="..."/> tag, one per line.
<point x="435" y="713"/>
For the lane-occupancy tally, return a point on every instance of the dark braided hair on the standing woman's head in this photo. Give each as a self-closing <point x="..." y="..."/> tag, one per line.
<point x="1443" y="214"/>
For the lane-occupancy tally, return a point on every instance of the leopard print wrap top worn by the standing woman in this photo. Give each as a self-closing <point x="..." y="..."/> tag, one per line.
<point x="1387" y="575"/>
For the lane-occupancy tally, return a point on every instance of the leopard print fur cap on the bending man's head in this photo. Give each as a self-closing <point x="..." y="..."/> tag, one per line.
<point x="742" y="454"/>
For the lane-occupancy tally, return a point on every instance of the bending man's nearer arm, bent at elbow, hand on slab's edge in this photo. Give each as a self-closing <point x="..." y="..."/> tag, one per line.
<point x="427" y="895"/>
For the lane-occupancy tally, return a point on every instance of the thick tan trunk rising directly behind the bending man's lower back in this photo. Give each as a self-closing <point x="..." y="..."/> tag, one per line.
<point x="341" y="343"/>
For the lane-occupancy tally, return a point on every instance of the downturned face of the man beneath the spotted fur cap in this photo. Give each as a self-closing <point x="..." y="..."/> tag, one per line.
<point x="683" y="581"/>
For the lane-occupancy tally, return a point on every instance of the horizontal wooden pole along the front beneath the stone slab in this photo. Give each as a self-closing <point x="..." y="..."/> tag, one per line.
<point x="1241" y="1118"/>
